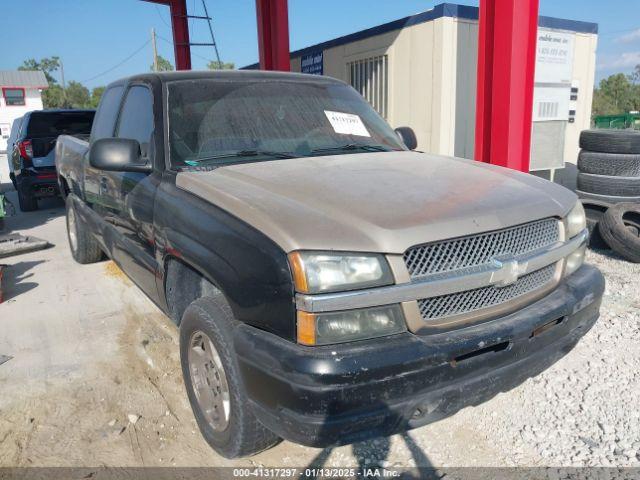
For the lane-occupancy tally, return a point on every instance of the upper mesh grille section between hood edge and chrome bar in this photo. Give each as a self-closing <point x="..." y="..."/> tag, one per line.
<point x="478" y="250"/>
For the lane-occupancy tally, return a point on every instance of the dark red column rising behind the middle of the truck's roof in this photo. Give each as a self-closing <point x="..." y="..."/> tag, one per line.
<point x="273" y="34"/>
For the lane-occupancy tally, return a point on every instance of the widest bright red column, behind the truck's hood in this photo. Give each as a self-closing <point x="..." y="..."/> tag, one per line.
<point x="506" y="68"/>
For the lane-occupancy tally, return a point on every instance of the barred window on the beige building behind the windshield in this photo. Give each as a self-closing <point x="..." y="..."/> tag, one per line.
<point x="370" y="78"/>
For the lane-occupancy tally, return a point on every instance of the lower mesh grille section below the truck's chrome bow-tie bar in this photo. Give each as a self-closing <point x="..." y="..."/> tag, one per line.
<point x="485" y="297"/>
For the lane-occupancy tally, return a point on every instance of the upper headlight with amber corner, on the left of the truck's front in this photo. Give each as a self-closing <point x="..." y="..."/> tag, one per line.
<point x="316" y="272"/>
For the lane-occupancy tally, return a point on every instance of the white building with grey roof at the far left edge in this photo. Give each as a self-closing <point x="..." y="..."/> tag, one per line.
<point x="21" y="93"/>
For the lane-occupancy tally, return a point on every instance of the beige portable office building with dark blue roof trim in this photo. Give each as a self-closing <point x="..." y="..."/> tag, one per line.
<point x="420" y="71"/>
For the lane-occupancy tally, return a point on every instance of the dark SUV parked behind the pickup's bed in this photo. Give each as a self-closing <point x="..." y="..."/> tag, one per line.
<point x="32" y="159"/>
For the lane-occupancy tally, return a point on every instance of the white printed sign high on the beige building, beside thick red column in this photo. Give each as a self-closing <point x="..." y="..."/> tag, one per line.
<point x="554" y="59"/>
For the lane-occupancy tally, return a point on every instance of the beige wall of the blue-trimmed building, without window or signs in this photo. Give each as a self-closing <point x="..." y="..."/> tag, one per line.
<point x="432" y="81"/>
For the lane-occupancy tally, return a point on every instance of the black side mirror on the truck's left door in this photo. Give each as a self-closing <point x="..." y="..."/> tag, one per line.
<point x="117" y="155"/>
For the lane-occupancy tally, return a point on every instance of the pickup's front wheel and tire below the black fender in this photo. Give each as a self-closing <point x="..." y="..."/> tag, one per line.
<point x="206" y="338"/>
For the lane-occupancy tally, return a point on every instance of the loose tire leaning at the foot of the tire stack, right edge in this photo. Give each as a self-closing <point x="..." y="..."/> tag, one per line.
<point x="620" y="228"/>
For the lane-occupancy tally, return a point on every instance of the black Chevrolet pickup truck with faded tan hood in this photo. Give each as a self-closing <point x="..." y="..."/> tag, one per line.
<point x="329" y="283"/>
